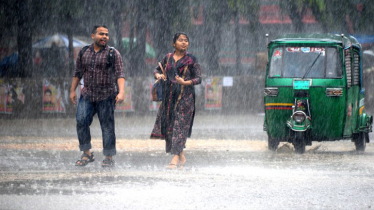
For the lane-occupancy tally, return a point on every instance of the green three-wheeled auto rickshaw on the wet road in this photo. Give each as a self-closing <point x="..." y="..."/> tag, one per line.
<point x="314" y="91"/>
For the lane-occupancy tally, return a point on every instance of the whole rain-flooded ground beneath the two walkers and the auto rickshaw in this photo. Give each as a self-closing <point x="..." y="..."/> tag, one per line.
<point x="228" y="167"/>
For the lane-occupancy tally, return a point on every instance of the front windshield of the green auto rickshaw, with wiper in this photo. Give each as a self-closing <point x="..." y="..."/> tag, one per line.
<point x="311" y="62"/>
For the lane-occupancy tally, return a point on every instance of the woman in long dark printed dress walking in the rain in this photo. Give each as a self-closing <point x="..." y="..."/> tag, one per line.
<point x="176" y="114"/>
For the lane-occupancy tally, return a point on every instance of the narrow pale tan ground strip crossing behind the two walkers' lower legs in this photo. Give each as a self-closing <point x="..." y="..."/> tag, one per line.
<point x="123" y="145"/>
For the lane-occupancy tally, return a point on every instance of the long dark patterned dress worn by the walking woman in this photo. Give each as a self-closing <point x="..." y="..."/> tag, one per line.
<point x="176" y="114"/>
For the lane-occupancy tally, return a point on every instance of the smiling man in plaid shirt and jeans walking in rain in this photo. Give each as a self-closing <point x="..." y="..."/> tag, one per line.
<point x="101" y="68"/>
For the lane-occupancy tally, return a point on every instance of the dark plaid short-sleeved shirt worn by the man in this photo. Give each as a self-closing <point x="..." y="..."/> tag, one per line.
<point x="99" y="78"/>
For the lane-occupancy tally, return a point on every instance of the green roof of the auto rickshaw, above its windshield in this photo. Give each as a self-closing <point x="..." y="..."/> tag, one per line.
<point x="345" y="40"/>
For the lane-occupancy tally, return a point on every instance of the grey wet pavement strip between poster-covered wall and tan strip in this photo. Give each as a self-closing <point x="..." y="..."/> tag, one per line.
<point x="218" y="127"/>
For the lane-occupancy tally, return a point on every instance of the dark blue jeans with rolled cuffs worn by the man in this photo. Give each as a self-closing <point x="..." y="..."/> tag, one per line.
<point x="105" y="111"/>
